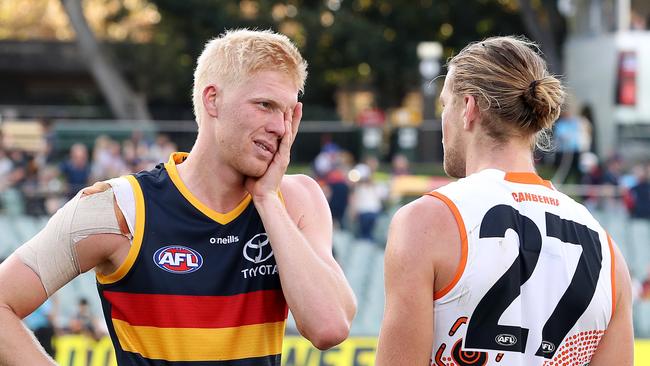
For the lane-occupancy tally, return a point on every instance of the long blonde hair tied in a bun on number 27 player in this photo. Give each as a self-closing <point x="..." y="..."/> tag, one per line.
<point x="512" y="86"/>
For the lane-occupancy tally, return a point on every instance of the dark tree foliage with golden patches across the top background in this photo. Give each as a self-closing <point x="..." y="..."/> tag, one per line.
<point x="349" y="44"/>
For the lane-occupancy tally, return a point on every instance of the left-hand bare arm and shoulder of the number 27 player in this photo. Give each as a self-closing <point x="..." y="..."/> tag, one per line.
<point x="417" y="231"/>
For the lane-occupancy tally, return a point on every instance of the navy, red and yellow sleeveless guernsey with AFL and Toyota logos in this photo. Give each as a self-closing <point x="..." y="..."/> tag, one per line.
<point x="198" y="287"/>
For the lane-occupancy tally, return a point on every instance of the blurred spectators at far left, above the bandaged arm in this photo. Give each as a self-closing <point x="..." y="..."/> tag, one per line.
<point x="38" y="182"/>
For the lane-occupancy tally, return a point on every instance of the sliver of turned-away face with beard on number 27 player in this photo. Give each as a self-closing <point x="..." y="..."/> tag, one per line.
<point x="452" y="128"/>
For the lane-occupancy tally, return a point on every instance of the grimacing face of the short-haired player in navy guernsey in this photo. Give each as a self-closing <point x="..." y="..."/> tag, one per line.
<point x="250" y="121"/>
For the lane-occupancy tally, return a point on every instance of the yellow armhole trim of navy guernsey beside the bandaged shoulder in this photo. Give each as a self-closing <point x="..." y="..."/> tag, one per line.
<point x="124" y="268"/>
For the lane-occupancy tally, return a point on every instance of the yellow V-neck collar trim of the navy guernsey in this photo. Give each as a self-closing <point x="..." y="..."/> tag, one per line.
<point x="222" y="218"/>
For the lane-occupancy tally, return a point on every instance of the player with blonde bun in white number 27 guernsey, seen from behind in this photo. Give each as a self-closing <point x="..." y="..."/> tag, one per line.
<point x="499" y="268"/>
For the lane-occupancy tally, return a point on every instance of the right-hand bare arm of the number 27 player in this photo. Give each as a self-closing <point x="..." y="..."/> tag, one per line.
<point x="617" y="345"/>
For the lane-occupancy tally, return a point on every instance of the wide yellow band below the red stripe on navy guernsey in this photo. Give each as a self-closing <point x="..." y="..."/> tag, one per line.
<point x="201" y="344"/>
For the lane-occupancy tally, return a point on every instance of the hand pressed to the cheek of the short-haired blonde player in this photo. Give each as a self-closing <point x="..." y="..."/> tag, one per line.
<point x="269" y="182"/>
